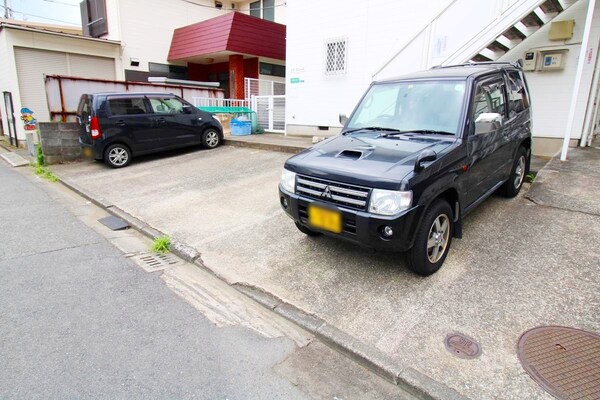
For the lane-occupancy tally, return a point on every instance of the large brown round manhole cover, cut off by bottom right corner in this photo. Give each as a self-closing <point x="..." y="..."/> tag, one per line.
<point x="564" y="361"/>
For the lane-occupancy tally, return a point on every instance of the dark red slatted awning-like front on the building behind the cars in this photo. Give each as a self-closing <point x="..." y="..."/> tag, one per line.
<point x="233" y="32"/>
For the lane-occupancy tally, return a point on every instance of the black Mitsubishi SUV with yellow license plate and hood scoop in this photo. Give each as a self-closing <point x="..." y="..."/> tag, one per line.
<point x="417" y="154"/>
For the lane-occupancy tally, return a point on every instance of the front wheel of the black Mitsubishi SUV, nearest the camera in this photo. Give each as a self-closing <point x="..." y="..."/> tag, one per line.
<point x="418" y="257"/>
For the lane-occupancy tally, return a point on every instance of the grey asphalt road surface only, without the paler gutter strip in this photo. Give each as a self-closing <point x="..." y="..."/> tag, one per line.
<point x="80" y="321"/>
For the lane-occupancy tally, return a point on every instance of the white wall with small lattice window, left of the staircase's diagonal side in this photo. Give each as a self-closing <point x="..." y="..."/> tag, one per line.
<point x="374" y="30"/>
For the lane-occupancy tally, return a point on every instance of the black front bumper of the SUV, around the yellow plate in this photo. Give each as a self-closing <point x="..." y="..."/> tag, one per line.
<point x="359" y="227"/>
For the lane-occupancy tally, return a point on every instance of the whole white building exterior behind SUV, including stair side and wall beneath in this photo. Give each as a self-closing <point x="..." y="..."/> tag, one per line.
<point x="429" y="33"/>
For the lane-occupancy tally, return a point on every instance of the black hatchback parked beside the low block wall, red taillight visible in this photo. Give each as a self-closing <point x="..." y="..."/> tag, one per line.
<point x="118" y="126"/>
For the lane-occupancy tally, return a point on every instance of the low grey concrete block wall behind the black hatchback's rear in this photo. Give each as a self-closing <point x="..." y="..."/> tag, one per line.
<point x="60" y="142"/>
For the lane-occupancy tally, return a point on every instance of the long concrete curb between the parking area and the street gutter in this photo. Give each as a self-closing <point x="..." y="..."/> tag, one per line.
<point x="373" y="359"/>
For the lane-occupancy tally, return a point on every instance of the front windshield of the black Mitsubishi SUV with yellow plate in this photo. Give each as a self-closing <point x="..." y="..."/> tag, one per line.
<point x="422" y="106"/>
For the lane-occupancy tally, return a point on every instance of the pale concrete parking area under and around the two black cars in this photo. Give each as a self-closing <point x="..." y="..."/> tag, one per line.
<point x="518" y="266"/>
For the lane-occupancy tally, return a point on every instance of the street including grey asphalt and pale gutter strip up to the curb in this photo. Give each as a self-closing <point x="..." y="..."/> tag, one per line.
<point x="80" y="320"/>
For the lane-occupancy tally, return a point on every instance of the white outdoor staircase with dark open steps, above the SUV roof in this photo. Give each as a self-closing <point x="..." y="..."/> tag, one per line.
<point x="523" y="25"/>
